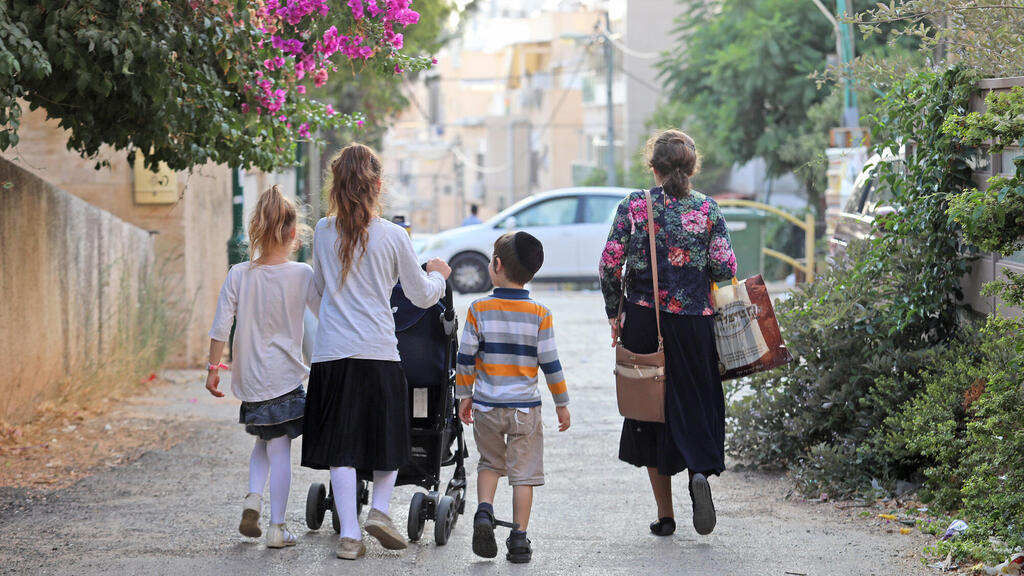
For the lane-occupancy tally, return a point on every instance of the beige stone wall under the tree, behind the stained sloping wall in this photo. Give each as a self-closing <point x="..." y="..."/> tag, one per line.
<point x="190" y="236"/>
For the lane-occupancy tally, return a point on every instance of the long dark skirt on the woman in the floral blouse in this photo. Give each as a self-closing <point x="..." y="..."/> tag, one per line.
<point x="694" y="434"/>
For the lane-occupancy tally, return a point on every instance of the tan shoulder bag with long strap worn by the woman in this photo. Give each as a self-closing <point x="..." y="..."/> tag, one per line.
<point x="641" y="378"/>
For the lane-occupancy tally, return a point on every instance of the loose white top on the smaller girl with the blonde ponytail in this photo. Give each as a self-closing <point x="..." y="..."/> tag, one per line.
<point x="268" y="303"/>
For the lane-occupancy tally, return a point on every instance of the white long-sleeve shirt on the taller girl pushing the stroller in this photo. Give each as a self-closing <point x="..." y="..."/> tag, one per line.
<point x="356" y="317"/>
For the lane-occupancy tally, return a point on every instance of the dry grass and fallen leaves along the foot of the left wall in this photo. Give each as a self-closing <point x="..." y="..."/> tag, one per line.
<point x="91" y="423"/>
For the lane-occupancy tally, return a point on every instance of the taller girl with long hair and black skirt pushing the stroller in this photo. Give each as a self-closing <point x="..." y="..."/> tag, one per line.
<point x="357" y="410"/>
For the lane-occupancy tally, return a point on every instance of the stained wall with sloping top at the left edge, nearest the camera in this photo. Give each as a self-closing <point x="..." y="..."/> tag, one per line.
<point x="72" y="278"/>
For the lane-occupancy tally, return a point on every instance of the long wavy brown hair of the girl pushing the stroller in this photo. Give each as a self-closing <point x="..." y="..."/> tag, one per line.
<point x="354" y="200"/>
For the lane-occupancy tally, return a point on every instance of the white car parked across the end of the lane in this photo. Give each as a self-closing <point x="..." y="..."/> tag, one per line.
<point x="573" y="224"/>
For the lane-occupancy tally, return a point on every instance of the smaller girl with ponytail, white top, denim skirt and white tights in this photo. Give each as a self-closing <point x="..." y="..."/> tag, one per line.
<point x="267" y="297"/>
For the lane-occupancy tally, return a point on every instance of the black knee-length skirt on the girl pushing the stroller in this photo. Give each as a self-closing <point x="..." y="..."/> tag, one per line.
<point x="357" y="416"/>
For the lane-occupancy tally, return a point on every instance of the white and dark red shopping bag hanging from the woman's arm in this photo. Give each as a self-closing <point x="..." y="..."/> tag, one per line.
<point x="747" y="334"/>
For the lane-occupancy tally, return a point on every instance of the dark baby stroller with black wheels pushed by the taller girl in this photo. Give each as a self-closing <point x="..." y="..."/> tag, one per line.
<point x="429" y="345"/>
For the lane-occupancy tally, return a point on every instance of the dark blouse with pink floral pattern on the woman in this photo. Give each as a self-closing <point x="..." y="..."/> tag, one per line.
<point x="694" y="251"/>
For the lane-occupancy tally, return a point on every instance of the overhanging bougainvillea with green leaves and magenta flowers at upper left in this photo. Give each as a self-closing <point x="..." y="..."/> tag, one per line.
<point x="193" y="81"/>
